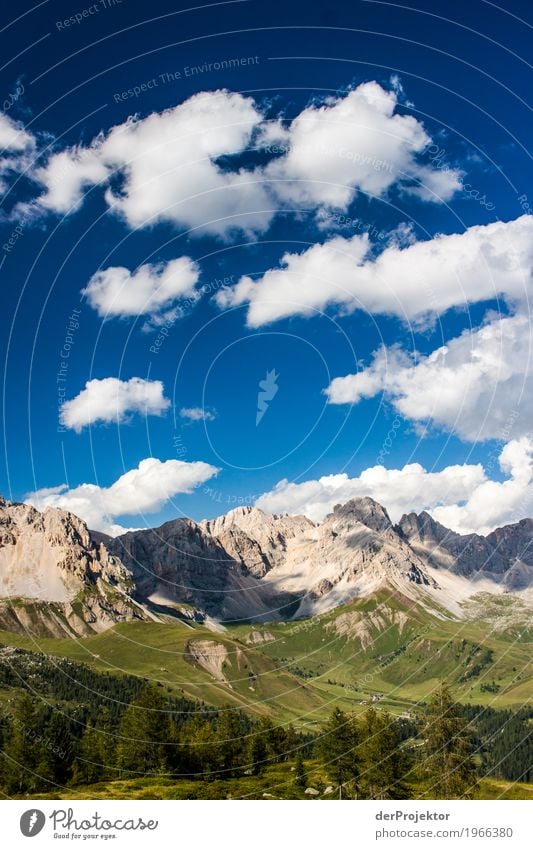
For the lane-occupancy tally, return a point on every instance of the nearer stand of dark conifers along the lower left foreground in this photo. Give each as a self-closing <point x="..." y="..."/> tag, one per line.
<point x="43" y="746"/>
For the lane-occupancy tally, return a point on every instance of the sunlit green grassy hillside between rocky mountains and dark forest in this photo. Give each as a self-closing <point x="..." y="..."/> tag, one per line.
<point x="380" y="648"/>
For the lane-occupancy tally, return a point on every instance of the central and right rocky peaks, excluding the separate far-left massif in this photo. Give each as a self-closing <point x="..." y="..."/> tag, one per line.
<point x="250" y="564"/>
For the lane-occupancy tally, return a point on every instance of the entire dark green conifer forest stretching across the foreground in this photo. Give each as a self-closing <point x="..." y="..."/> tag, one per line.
<point x="90" y="727"/>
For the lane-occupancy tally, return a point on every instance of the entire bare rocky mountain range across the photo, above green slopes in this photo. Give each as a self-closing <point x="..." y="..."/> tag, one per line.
<point x="59" y="578"/>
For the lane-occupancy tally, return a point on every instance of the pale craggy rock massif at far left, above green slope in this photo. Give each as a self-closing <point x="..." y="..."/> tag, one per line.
<point x="54" y="578"/>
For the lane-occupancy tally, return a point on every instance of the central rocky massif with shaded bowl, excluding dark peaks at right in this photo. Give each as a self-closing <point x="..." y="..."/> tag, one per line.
<point x="250" y="564"/>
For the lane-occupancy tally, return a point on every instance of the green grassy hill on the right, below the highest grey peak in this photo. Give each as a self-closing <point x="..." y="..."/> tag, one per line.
<point x="383" y="646"/>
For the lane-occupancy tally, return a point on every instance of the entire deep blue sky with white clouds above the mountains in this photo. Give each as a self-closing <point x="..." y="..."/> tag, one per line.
<point x="273" y="254"/>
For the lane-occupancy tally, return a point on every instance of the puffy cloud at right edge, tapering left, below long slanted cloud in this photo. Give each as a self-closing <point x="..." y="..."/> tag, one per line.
<point x="478" y="386"/>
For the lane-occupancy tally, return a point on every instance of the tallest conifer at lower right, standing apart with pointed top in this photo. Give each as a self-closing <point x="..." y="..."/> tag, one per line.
<point x="447" y="750"/>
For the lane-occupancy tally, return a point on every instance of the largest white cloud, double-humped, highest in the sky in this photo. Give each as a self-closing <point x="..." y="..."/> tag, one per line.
<point x="167" y="166"/>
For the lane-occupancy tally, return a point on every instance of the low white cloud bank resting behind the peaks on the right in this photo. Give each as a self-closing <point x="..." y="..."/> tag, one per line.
<point x="460" y="496"/>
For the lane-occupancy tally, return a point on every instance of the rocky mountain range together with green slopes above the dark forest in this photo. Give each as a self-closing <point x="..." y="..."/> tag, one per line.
<point x="275" y="614"/>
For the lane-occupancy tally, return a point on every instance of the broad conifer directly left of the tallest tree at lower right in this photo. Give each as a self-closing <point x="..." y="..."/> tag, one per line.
<point x="384" y="762"/>
